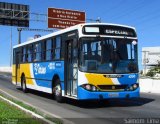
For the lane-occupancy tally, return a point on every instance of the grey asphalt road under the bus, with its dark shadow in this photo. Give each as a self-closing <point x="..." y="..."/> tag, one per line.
<point x="91" y="112"/>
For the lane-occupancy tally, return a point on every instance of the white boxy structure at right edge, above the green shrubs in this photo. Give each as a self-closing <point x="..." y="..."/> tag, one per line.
<point x="150" y="56"/>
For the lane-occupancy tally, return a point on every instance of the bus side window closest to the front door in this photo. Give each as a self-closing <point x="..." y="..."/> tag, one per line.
<point x="57" y="47"/>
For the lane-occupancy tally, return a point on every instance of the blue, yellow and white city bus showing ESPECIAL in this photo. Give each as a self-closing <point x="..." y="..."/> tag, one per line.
<point x="88" y="61"/>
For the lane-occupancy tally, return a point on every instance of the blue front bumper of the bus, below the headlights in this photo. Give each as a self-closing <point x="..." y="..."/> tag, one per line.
<point x="89" y="95"/>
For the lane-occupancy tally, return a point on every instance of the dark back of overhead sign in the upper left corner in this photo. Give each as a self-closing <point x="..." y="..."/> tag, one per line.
<point x="14" y="14"/>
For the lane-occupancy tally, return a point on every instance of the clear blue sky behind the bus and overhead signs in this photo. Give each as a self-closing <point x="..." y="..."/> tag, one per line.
<point x="144" y="15"/>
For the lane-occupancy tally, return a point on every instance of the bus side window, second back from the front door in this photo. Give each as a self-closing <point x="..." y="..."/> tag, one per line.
<point x="49" y="49"/>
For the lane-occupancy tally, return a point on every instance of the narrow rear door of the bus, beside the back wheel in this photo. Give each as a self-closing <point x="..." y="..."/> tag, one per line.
<point x="17" y="69"/>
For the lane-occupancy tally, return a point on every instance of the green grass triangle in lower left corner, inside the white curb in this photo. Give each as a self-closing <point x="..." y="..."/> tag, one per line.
<point x="9" y="113"/>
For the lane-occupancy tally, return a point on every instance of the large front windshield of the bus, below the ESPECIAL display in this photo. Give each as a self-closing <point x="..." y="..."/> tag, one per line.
<point x="108" y="55"/>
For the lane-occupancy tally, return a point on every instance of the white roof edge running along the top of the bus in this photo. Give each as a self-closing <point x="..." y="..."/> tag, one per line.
<point x="78" y="27"/>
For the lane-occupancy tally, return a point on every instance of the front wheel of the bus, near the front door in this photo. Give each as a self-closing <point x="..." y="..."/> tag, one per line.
<point x="58" y="91"/>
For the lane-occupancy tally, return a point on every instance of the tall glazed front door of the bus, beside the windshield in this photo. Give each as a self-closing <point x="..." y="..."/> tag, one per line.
<point x="71" y="68"/>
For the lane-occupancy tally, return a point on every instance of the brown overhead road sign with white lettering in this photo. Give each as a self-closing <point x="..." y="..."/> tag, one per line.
<point x="61" y="18"/>
